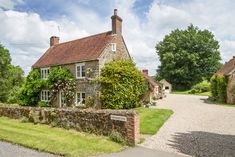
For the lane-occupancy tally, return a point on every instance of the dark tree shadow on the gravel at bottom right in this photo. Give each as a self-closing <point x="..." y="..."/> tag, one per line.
<point x="204" y="144"/>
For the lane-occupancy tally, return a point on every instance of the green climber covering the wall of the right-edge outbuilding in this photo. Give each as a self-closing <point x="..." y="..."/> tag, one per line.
<point x="218" y="88"/>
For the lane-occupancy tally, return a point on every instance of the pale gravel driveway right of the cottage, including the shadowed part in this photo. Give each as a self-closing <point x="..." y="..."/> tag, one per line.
<point x="196" y="128"/>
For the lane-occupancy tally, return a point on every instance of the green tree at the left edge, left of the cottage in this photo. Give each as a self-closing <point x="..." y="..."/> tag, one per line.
<point x="11" y="77"/>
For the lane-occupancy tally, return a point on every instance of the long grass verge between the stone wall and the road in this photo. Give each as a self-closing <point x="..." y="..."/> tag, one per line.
<point x="55" y="140"/>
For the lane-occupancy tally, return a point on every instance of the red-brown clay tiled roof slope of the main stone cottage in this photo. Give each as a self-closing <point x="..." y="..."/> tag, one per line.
<point x="88" y="48"/>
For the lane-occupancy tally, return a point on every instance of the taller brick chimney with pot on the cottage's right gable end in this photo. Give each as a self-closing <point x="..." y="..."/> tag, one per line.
<point x="116" y="23"/>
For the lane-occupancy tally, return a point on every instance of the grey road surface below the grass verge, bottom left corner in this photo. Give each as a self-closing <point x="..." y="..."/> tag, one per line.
<point x="10" y="150"/>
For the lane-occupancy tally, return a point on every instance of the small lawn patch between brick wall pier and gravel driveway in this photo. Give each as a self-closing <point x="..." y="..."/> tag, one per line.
<point x="151" y="119"/>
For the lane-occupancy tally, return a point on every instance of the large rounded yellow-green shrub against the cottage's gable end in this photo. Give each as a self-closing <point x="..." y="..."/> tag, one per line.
<point x="122" y="85"/>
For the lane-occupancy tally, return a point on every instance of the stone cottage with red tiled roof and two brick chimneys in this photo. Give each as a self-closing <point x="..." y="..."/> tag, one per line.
<point x="84" y="58"/>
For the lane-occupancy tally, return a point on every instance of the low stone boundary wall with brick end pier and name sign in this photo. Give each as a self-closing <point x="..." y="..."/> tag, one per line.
<point x="101" y="122"/>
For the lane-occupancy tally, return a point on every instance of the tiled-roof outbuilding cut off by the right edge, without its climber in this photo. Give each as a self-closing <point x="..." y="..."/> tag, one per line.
<point x="228" y="70"/>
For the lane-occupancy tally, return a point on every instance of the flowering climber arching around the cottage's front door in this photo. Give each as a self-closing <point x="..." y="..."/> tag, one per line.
<point x="61" y="79"/>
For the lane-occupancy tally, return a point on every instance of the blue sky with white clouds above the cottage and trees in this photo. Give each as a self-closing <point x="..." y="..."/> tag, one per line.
<point x="27" y="25"/>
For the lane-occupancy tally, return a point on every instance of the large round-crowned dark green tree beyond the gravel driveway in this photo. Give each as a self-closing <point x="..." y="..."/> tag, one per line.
<point x="188" y="56"/>
